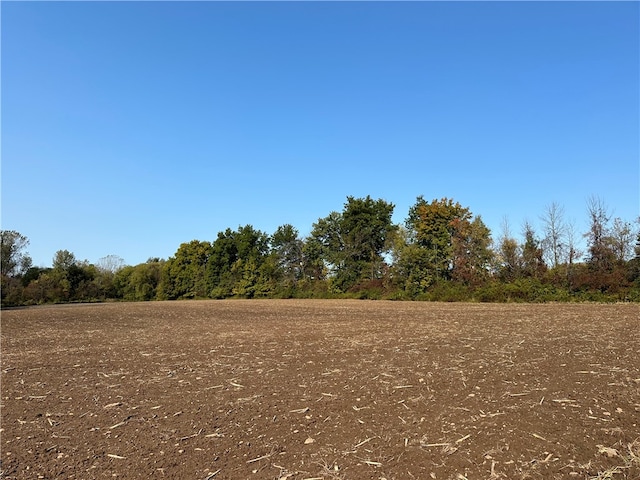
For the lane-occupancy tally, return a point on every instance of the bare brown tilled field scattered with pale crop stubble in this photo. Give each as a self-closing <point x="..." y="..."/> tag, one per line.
<point x="321" y="389"/>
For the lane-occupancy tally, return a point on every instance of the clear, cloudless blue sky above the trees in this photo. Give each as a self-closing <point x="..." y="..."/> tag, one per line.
<point x="130" y="128"/>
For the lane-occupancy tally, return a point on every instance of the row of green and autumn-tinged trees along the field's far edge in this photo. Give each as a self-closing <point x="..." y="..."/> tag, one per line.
<point x="441" y="252"/>
